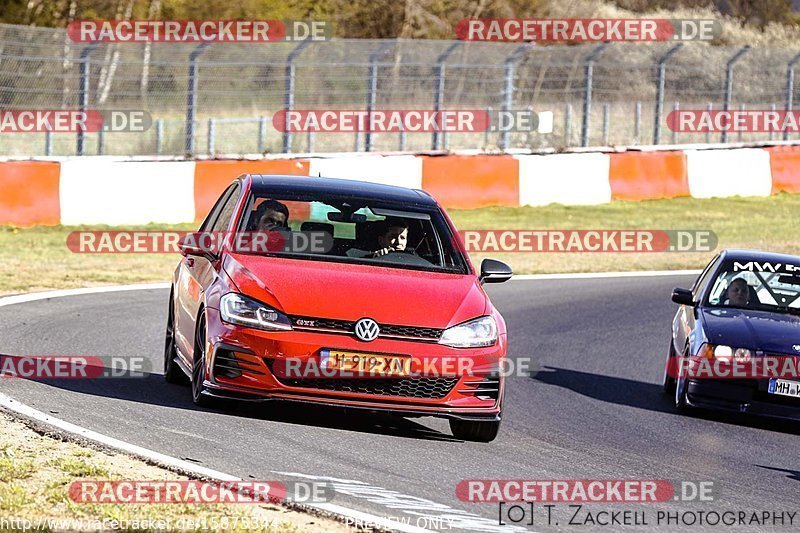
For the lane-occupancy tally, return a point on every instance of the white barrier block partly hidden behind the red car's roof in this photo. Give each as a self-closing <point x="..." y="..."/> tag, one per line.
<point x="400" y="170"/>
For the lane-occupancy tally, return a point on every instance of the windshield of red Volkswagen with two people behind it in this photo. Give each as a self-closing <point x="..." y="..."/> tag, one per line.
<point x="328" y="228"/>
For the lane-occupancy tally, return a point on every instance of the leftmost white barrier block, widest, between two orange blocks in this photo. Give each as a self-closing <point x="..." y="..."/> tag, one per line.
<point x="104" y="191"/>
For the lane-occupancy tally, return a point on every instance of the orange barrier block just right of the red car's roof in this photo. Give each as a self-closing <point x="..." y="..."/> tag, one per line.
<point x="470" y="181"/>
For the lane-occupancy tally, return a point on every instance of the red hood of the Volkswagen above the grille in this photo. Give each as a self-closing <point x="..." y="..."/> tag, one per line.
<point x="348" y="291"/>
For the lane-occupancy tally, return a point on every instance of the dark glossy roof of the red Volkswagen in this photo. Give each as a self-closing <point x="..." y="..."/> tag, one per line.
<point x="275" y="184"/>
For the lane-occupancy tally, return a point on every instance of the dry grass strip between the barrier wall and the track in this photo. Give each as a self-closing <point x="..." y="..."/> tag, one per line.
<point x="38" y="259"/>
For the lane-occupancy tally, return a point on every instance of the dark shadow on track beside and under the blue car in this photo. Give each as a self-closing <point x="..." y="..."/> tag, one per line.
<point x="648" y="396"/>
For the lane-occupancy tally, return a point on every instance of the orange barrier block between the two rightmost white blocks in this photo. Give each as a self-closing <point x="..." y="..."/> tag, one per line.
<point x="648" y="175"/>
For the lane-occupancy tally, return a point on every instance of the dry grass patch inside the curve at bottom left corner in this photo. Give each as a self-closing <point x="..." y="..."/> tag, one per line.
<point x="36" y="472"/>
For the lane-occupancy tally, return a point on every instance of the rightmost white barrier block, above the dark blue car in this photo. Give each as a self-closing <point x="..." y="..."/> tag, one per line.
<point x="737" y="172"/>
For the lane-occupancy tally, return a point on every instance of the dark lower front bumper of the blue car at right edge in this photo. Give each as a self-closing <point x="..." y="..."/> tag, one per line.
<point x="741" y="396"/>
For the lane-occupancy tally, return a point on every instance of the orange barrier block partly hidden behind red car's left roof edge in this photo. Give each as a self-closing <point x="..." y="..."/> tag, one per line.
<point x="211" y="177"/>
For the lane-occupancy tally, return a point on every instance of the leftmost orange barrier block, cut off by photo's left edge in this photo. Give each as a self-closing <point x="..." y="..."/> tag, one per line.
<point x="29" y="193"/>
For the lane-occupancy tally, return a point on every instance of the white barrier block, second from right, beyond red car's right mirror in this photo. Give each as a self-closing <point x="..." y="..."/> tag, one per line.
<point x="570" y="179"/>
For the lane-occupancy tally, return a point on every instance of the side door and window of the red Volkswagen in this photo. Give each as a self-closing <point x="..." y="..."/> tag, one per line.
<point x="196" y="274"/>
